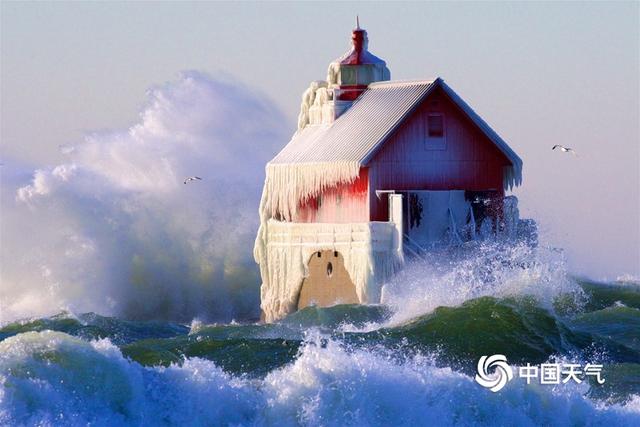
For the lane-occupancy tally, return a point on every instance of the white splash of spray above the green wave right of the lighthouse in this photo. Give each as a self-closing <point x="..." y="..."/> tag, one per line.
<point x="486" y="269"/>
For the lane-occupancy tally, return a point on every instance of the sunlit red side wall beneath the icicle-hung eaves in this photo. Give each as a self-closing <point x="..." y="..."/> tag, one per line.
<point x="341" y="204"/>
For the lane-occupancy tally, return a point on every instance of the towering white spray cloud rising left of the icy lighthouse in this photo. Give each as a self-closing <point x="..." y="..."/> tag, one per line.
<point x="114" y="229"/>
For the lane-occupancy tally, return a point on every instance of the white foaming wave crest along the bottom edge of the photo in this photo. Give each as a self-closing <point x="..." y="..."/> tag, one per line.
<point x="49" y="378"/>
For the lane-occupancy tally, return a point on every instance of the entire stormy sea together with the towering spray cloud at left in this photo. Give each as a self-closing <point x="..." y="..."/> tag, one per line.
<point x="116" y="232"/>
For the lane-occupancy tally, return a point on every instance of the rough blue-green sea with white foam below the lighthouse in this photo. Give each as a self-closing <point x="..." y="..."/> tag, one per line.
<point x="411" y="361"/>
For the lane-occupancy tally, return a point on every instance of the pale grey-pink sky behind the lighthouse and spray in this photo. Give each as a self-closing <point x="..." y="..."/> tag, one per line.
<point x="538" y="73"/>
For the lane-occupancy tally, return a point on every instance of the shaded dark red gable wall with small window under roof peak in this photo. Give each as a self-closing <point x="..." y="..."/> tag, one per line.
<point x="467" y="160"/>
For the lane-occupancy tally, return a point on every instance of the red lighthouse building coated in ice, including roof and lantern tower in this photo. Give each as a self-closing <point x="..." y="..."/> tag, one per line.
<point x="377" y="170"/>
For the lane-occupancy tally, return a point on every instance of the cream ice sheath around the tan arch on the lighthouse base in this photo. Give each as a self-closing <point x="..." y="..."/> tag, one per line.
<point x="367" y="248"/>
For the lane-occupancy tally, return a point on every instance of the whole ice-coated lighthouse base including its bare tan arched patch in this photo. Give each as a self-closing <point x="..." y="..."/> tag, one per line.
<point x="368" y="255"/>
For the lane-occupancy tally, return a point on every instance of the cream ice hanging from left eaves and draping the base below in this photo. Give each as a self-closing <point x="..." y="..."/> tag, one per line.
<point x="282" y="249"/>
